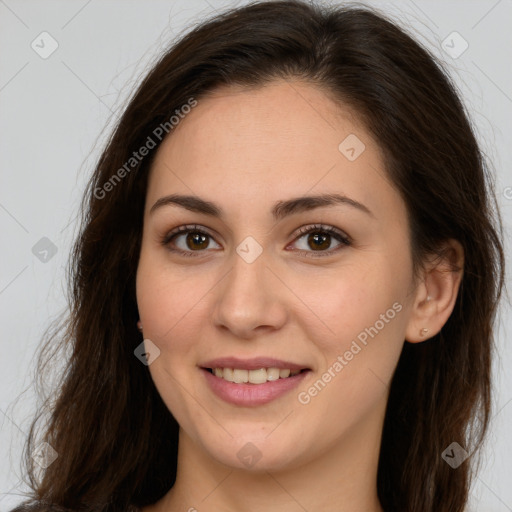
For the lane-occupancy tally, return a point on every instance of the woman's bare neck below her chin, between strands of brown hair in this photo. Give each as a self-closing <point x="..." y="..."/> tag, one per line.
<point x="342" y="479"/>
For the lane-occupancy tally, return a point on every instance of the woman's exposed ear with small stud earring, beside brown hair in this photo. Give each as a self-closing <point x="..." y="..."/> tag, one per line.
<point x="436" y="294"/>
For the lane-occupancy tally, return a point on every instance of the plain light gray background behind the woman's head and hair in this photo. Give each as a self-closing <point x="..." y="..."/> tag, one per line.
<point x="53" y="115"/>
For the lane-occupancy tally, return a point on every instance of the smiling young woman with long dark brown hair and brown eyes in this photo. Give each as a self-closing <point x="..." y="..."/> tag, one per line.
<point x="289" y="261"/>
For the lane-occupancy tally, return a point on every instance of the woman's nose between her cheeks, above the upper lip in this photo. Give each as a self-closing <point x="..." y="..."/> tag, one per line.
<point x="250" y="300"/>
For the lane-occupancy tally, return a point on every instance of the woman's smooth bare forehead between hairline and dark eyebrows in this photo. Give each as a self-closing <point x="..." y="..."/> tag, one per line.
<point x="261" y="144"/>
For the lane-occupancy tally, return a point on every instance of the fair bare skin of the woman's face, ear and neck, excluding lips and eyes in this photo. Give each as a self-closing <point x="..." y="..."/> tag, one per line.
<point x="245" y="150"/>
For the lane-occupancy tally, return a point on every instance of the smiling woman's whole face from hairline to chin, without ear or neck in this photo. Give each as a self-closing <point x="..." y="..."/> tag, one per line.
<point x="247" y="287"/>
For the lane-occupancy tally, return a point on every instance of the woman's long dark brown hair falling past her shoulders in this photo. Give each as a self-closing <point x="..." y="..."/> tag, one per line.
<point x="116" y="440"/>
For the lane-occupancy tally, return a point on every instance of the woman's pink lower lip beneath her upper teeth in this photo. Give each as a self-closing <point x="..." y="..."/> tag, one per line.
<point x="251" y="395"/>
